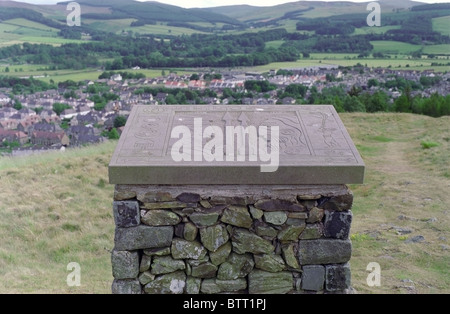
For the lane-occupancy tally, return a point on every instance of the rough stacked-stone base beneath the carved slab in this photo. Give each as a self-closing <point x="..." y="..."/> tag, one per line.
<point x="172" y="241"/>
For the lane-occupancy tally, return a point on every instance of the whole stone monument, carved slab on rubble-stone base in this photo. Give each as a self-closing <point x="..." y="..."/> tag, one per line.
<point x="218" y="199"/>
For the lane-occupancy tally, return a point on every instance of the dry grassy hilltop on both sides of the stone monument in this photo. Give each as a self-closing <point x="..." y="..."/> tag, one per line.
<point x="56" y="209"/>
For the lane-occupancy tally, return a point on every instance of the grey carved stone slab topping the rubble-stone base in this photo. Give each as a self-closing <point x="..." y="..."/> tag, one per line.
<point x="310" y="142"/>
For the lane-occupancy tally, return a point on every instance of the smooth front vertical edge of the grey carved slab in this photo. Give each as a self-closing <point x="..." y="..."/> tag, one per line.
<point x="301" y="175"/>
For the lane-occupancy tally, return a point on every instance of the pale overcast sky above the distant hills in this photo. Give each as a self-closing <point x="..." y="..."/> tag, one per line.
<point x="215" y="3"/>
